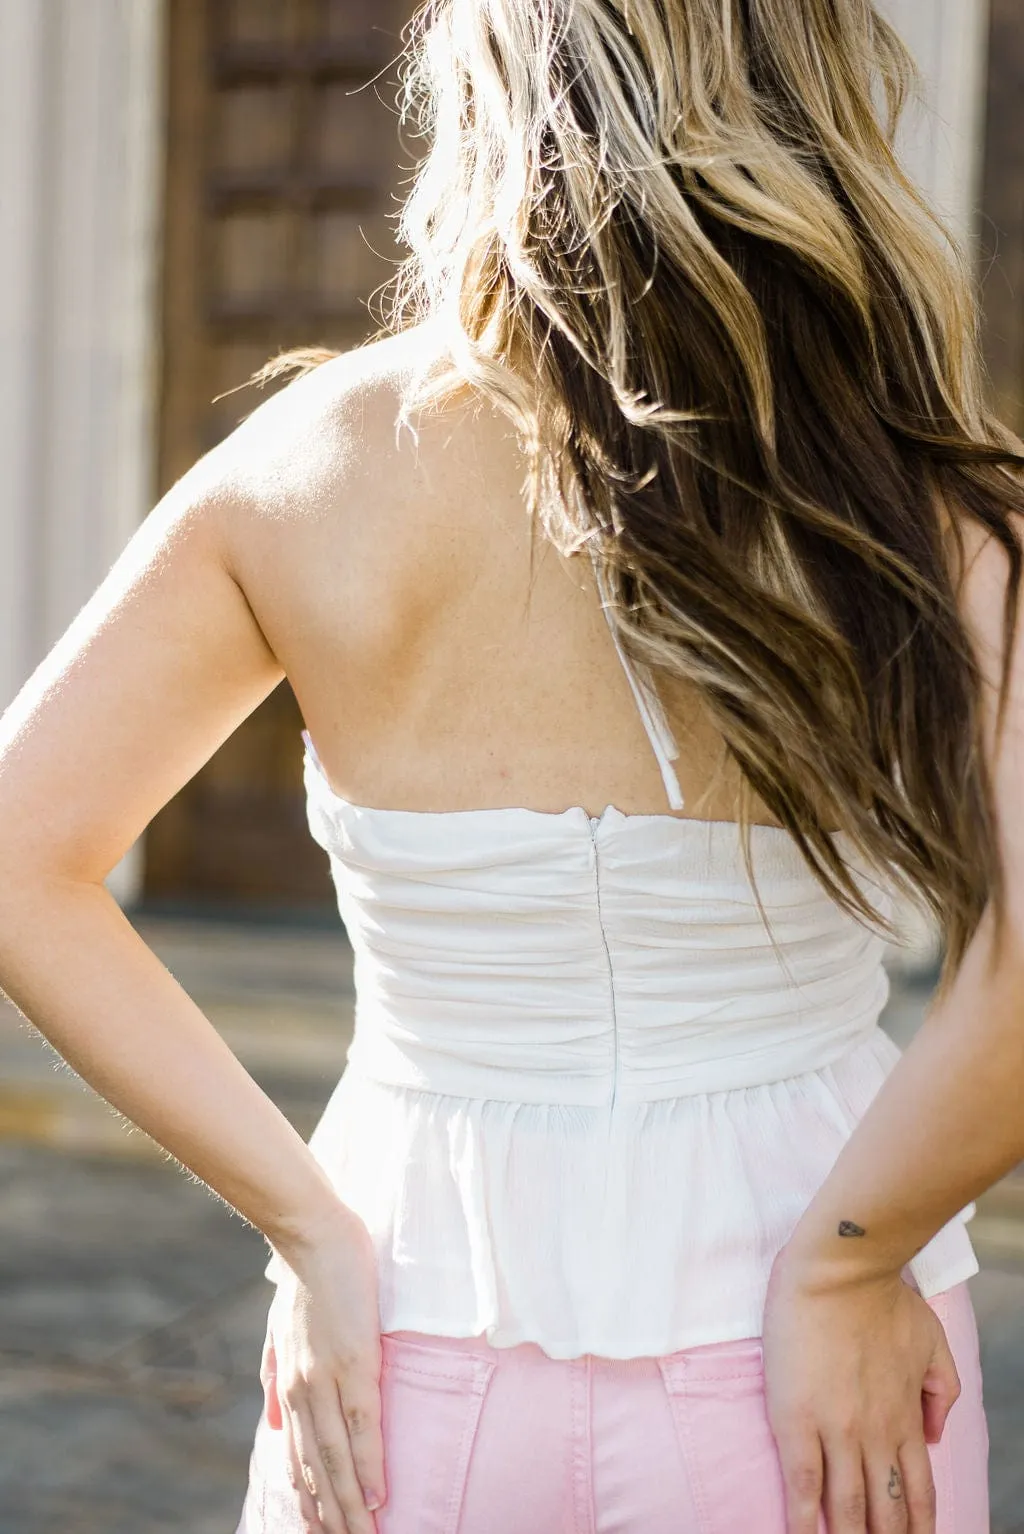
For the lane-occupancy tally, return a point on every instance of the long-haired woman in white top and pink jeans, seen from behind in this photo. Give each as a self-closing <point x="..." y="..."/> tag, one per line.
<point x="625" y="1216"/>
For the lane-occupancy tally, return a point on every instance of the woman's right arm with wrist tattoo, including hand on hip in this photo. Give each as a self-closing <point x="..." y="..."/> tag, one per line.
<point x="859" y="1372"/>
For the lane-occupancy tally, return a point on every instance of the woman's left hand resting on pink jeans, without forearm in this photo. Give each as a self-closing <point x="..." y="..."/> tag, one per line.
<point x="323" y="1378"/>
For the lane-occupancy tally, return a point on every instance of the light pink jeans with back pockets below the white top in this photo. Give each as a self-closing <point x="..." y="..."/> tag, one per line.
<point x="510" y="1441"/>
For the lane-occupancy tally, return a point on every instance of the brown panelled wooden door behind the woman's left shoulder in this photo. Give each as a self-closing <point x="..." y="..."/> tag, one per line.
<point x="283" y="168"/>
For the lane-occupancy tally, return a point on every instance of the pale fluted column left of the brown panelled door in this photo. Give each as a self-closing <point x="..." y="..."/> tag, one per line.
<point x="80" y="200"/>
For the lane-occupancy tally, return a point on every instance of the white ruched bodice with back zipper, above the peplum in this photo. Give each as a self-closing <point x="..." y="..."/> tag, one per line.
<point x="592" y="961"/>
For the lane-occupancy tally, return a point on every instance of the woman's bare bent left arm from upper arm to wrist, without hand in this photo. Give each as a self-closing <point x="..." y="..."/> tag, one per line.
<point x="165" y="662"/>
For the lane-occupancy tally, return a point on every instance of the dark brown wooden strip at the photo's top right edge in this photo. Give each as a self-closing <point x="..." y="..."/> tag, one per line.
<point x="1002" y="243"/>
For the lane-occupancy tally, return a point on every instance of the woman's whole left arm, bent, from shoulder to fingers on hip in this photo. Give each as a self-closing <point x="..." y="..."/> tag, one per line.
<point x="157" y="671"/>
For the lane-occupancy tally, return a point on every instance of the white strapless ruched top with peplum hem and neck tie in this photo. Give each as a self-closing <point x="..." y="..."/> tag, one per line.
<point x="586" y="1101"/>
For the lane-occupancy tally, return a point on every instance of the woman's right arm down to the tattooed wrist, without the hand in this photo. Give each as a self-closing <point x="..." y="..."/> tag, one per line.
<point x="950" y="1121"/>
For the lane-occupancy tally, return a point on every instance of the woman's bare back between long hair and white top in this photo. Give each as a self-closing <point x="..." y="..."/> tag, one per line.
<point x="433" y="668"/>
